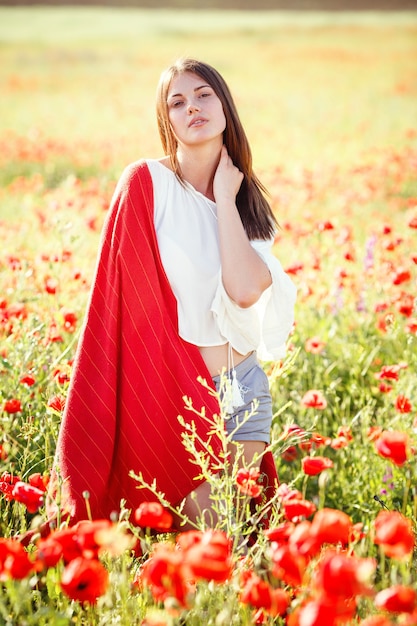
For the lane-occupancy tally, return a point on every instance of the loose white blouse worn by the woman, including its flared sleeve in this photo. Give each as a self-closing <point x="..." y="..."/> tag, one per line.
<point x="187" y="233"/>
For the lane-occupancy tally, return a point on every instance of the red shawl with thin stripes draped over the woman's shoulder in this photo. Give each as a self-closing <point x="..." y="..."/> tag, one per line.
<point x="131" y="373"/>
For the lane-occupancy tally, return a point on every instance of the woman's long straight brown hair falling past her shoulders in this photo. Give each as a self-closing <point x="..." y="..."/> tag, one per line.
<point x="254" y="209"/>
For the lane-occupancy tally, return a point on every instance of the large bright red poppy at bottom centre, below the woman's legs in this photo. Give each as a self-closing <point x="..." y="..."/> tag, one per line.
<point x="210" y="558"/>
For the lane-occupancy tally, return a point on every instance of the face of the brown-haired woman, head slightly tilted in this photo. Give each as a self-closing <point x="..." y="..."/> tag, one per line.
<point x="195" y="111"/>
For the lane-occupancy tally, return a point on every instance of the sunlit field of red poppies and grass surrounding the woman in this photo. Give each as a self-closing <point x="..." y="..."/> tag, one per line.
<point x="330" y="108"/>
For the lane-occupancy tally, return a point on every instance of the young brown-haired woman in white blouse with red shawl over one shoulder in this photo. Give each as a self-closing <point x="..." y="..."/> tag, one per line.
<point x="186" y="287"/>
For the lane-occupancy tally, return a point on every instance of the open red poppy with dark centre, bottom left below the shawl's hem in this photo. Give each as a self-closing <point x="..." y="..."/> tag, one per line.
<point x="84" y="580"/>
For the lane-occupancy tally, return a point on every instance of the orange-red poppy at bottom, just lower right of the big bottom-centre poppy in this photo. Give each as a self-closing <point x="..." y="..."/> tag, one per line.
<point x="260" y="595"/>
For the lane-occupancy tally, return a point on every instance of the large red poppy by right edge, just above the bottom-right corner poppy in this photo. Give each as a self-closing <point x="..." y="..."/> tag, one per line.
<point x="394" y="533"/>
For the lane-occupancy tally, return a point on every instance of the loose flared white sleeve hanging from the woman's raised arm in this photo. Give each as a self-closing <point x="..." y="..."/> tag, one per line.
<point x="265" y="325"/>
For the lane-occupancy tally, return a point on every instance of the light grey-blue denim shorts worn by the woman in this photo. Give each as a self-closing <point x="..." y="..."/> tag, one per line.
<point x="254" y="384"/>
